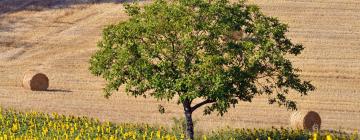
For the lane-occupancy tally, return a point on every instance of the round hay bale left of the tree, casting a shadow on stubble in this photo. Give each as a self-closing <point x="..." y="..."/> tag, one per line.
<point x="35" y="81"/>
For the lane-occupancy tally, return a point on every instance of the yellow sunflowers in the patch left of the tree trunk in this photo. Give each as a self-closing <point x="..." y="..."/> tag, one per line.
<point x="35" y="125"/>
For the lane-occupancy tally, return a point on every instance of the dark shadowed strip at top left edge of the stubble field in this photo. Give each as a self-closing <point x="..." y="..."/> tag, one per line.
<point x="11" y="6"/>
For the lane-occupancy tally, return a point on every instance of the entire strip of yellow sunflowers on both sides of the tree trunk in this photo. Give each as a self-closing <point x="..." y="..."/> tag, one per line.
<point x="38" y="126"/>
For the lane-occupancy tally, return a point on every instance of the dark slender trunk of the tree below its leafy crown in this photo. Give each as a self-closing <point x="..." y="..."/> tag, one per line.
<point x="189" y="122"/>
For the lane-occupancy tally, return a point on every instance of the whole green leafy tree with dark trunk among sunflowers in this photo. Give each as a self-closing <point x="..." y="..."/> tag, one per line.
<point x="216" y="51"/>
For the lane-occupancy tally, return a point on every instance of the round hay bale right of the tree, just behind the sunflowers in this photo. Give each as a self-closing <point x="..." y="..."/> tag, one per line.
<point x="309" y="120"/>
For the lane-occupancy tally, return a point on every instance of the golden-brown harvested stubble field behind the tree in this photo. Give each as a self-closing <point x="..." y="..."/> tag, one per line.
<point x="58" y="40"/>
